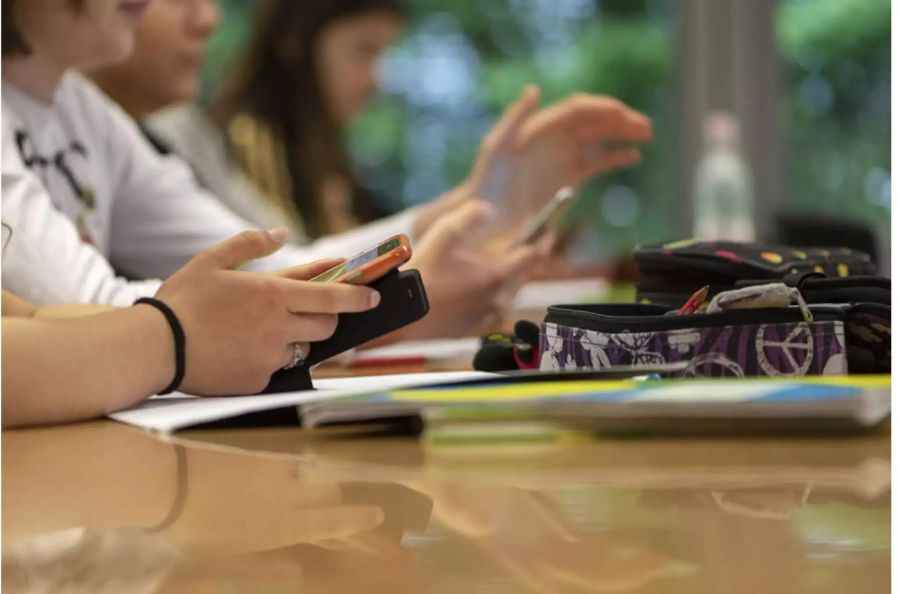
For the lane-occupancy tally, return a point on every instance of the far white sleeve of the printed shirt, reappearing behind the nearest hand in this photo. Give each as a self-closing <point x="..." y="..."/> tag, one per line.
<point x="162" y="217"/>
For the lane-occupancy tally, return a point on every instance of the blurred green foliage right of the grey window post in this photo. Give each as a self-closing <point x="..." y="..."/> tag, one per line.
<point x="838" y="144"/>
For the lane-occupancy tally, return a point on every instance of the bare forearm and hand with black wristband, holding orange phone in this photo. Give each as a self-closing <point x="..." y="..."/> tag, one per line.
<point x="65" y="363"/>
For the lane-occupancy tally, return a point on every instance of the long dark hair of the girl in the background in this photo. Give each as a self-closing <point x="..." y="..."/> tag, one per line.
<point x="280" y="86"/>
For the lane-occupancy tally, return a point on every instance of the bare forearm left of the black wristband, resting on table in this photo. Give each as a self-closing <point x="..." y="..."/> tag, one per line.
<point x="66" y="370"/>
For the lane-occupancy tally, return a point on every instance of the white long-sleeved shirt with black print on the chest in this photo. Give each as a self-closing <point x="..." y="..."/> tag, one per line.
<point x="83" y="192"/>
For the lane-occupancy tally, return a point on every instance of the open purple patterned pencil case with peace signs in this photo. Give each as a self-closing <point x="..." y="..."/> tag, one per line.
<point x="839" y="339"/>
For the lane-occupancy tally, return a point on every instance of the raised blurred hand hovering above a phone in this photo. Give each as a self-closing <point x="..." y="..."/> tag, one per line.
<point x="529" y="155"/>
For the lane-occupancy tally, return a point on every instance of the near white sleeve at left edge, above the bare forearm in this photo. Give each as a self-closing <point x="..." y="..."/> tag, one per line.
<point x="44" y="259"/>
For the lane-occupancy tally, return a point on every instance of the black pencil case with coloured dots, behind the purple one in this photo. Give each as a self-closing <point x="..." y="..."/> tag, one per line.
<point x="670" y="272"/>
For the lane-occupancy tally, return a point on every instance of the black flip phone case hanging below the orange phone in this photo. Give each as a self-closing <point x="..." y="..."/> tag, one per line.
<point x="403" y="301"/>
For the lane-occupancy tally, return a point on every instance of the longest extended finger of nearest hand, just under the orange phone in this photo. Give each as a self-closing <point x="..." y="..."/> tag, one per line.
<point x="327" y="298"/>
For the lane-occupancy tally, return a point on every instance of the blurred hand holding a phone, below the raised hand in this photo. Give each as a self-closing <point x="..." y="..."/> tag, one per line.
<point x="467" y="289"/>
